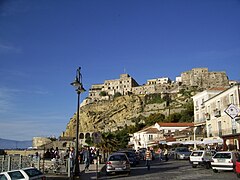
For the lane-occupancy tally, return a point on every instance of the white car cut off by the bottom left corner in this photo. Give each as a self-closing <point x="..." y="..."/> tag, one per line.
<point x="23" y="174"/>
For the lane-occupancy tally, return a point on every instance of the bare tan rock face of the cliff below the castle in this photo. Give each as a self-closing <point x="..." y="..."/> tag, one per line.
<point x="113" y="114"/>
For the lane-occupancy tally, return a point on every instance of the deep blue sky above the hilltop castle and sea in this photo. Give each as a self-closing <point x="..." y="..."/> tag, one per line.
<point x="43" y="42"/>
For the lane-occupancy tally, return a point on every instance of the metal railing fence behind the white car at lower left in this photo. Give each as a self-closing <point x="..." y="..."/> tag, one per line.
<point x="12" y="162"/>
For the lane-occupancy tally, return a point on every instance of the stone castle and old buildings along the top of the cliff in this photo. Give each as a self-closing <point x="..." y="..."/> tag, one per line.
<point x="197" y="77"/>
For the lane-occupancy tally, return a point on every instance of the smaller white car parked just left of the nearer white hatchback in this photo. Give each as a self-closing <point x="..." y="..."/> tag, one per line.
<point x="201" y="158"/>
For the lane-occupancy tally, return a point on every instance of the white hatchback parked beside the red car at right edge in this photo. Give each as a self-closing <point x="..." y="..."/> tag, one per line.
<point x="224" y="160"/>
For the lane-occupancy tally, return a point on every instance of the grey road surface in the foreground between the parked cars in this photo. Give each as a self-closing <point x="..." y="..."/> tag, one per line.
<point x="171" y="170"/>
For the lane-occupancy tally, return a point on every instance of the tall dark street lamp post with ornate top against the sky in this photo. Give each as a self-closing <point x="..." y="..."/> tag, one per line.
<point x="77" y="84"/>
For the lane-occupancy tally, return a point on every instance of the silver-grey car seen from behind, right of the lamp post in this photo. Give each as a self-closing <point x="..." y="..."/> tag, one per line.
<point x="118" y="162"/>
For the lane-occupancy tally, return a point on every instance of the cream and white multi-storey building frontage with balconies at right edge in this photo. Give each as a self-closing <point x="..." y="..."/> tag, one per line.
<point x="218" y="125"/>
